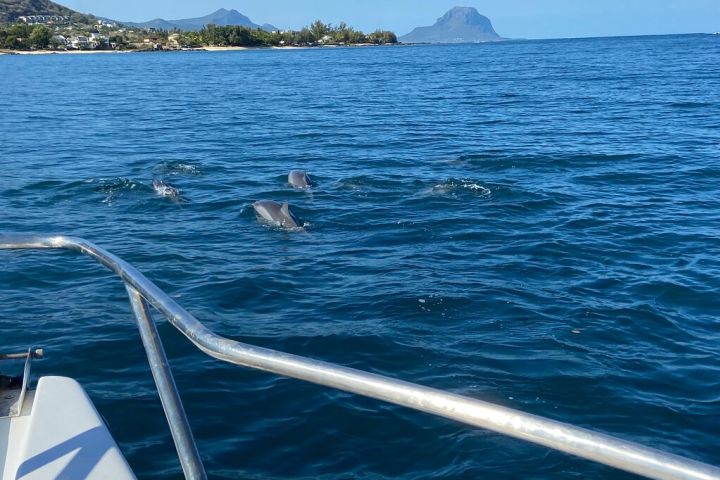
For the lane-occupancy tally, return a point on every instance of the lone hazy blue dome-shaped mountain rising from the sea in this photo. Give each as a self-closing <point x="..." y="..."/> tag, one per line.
<point x="458" y="25"/>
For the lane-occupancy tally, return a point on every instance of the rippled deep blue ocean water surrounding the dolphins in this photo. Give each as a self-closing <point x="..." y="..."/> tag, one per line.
<point x="531" y="223"/>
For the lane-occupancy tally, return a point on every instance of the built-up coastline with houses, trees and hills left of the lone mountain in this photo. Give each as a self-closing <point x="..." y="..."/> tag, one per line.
<point x="42" y="26"/>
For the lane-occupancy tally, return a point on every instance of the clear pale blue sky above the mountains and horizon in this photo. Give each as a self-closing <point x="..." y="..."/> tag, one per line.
<point x="511" y="18"/>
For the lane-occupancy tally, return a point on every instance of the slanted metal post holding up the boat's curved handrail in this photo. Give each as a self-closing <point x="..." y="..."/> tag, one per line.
<point x="169" y="397"/>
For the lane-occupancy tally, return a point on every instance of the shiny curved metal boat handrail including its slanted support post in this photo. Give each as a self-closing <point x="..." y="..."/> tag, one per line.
<point x="560" y="436"/>
